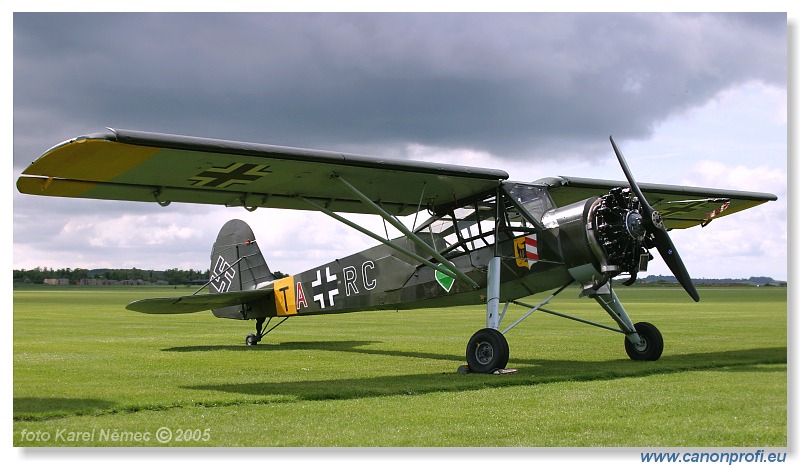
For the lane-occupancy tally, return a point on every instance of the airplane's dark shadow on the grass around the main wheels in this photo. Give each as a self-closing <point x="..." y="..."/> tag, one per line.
<point x="531" y="372"/>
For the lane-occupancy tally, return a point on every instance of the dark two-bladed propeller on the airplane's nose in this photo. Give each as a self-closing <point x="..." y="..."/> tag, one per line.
<point x="654" y="226"/>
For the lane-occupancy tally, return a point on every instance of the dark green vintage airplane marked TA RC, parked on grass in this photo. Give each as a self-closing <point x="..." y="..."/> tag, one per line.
<point x="487" y="240"/>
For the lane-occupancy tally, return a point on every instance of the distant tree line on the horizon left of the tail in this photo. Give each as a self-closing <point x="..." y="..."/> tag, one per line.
<point x="74" y="276"/>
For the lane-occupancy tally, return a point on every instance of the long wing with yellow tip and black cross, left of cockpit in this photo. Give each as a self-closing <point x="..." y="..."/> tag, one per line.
<point x="151" y="167"/>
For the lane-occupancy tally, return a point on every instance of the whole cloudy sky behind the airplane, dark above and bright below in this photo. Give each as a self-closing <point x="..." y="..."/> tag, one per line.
<point x="694" y="99"/>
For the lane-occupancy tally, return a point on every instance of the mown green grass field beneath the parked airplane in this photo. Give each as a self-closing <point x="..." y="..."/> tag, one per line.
<point x="87" y="372"/>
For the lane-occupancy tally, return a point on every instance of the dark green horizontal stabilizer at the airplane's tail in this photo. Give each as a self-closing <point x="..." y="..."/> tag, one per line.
<point x="195" y="303"/>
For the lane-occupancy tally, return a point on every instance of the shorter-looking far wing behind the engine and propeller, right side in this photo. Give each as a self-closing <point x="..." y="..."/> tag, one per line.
<point x="679" y="206"/>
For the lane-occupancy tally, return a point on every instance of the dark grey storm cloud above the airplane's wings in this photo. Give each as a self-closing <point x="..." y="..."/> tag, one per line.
<point x="509" y="84"/>
